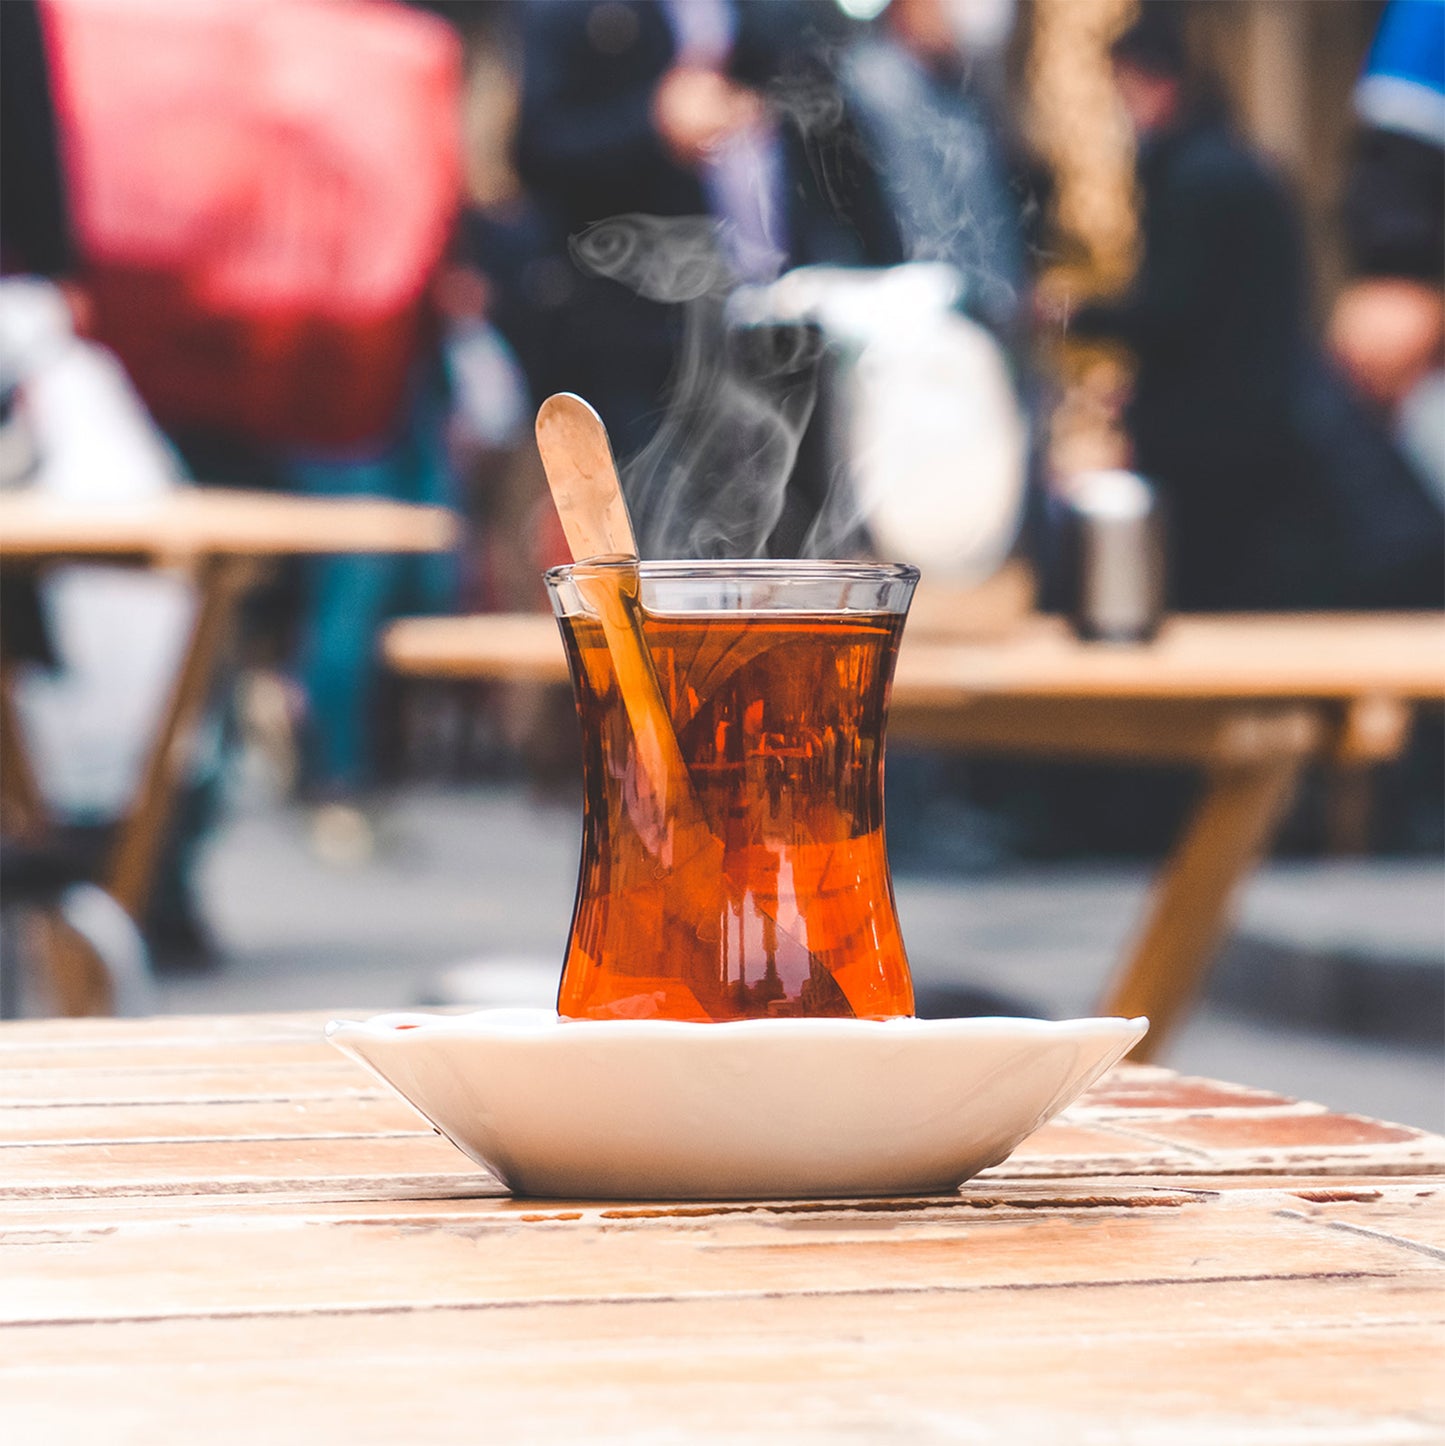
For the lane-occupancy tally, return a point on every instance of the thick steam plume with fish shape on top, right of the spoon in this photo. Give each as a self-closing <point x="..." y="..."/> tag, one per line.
<point x="712" y="481"/>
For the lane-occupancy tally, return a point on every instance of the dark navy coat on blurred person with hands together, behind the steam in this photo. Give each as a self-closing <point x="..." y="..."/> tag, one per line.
<point x="588" y="151"/>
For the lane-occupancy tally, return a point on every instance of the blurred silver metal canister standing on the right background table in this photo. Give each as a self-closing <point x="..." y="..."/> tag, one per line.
<point x="1117" y="543"/>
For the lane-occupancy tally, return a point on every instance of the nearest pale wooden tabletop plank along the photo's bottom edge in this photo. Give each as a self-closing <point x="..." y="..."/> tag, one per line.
<point x="1281" y="1363"/>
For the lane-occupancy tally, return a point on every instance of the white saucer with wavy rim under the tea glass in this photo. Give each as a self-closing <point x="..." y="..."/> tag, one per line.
<point x="762" y="1108"/>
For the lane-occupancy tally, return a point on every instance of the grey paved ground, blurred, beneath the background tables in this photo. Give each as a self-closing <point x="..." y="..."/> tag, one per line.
<point x="487" y="874"/>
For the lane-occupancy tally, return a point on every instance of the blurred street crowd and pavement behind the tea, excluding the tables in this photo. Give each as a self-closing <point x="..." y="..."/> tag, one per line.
<point x="926" y="275"/>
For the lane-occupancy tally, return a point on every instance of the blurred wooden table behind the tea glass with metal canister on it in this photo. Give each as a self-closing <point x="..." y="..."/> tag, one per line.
<point x="1249" y="701"/>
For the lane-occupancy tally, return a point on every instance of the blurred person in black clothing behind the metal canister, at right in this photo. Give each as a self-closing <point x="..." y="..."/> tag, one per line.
<point x="1279" y="489"/>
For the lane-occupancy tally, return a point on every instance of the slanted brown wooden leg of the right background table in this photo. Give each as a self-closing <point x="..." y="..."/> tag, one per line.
<point x="1190" y="912"/>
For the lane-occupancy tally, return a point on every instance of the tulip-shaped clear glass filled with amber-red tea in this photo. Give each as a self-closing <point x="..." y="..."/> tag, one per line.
<point x="743" y="873"/>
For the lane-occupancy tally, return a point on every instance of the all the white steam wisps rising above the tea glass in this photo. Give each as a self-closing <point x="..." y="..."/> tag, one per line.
<point x="714" y="481"/>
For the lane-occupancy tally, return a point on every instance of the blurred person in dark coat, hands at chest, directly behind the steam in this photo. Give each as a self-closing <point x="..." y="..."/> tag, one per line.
<point x="681" y="109"/>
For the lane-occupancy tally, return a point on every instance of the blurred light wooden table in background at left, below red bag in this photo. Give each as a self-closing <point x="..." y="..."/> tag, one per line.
<point x="221" y="539"/>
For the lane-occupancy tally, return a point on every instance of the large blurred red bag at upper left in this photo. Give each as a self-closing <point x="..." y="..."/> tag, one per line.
<point x="261" y="194"/>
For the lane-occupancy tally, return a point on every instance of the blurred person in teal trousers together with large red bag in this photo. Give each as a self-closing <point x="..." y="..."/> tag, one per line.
<point x="209" y="359"/>
